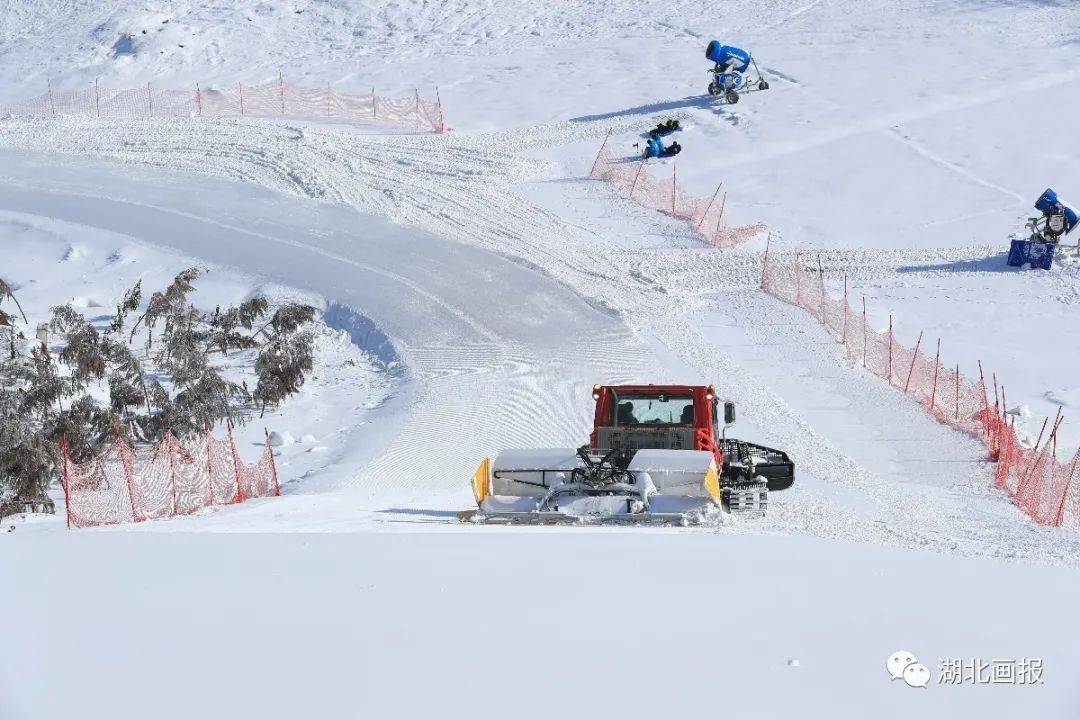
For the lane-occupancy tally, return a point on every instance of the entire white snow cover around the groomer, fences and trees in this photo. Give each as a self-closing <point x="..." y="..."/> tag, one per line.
<point x="903" y="142"/>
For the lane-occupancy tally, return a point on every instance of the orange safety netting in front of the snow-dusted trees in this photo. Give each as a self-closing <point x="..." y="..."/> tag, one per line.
<point x="170" y="479"/>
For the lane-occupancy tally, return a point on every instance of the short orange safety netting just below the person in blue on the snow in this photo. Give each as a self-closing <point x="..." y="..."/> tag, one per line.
<point x="705" y="218"/>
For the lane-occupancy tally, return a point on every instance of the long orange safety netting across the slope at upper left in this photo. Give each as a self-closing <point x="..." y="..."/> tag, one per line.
<point x="276" y="100"/>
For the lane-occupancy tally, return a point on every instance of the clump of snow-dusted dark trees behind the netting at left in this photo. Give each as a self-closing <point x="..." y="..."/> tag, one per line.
<point x="177" y="388"/>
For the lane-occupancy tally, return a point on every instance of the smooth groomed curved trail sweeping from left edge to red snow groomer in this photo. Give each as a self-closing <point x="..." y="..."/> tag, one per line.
<point x="498" y="355"/>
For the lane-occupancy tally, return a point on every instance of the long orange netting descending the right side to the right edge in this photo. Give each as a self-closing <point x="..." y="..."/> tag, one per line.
<point x="1034" y="477"/>
